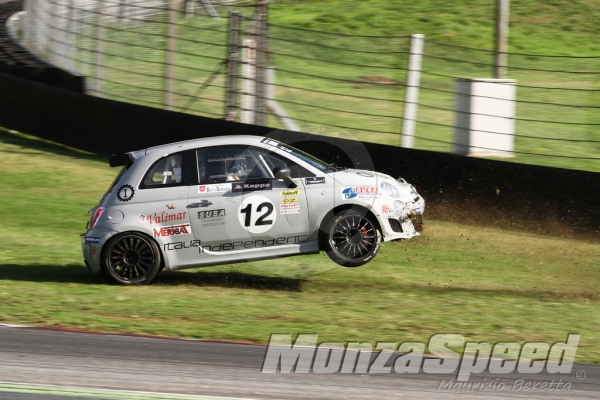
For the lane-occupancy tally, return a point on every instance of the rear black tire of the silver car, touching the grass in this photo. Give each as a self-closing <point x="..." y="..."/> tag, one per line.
<point x="131" y="259"/>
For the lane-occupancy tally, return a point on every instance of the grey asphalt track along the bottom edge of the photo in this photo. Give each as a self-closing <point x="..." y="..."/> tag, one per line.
<point x="52" y="364"/>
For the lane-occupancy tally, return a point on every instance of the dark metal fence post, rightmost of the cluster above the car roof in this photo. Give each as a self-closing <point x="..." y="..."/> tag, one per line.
<point x="261" y="65"/>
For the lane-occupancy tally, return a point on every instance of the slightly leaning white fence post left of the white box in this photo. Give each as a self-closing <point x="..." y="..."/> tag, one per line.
<point x="412" y="90"/>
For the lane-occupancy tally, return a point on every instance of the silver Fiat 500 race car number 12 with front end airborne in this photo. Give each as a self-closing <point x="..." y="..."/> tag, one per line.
<point x="237" y="198"/>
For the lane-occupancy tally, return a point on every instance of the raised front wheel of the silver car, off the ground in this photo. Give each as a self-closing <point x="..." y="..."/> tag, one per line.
<point x="352" y="239"/>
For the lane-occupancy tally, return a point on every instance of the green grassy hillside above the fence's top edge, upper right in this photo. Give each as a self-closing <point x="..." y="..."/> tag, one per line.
<point x="554" y="27"/>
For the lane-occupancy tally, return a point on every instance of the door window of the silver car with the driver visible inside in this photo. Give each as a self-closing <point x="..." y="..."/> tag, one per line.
<point x="227" y="164"/>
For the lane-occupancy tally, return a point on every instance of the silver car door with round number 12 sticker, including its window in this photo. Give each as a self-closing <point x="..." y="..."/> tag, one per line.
<point x="239" y="207"/>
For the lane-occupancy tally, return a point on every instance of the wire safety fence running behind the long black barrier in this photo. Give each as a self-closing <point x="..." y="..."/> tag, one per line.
<point x="224" y="59"/>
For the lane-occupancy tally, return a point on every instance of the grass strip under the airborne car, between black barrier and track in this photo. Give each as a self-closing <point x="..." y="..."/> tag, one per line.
<point x="485" y="283"/>
